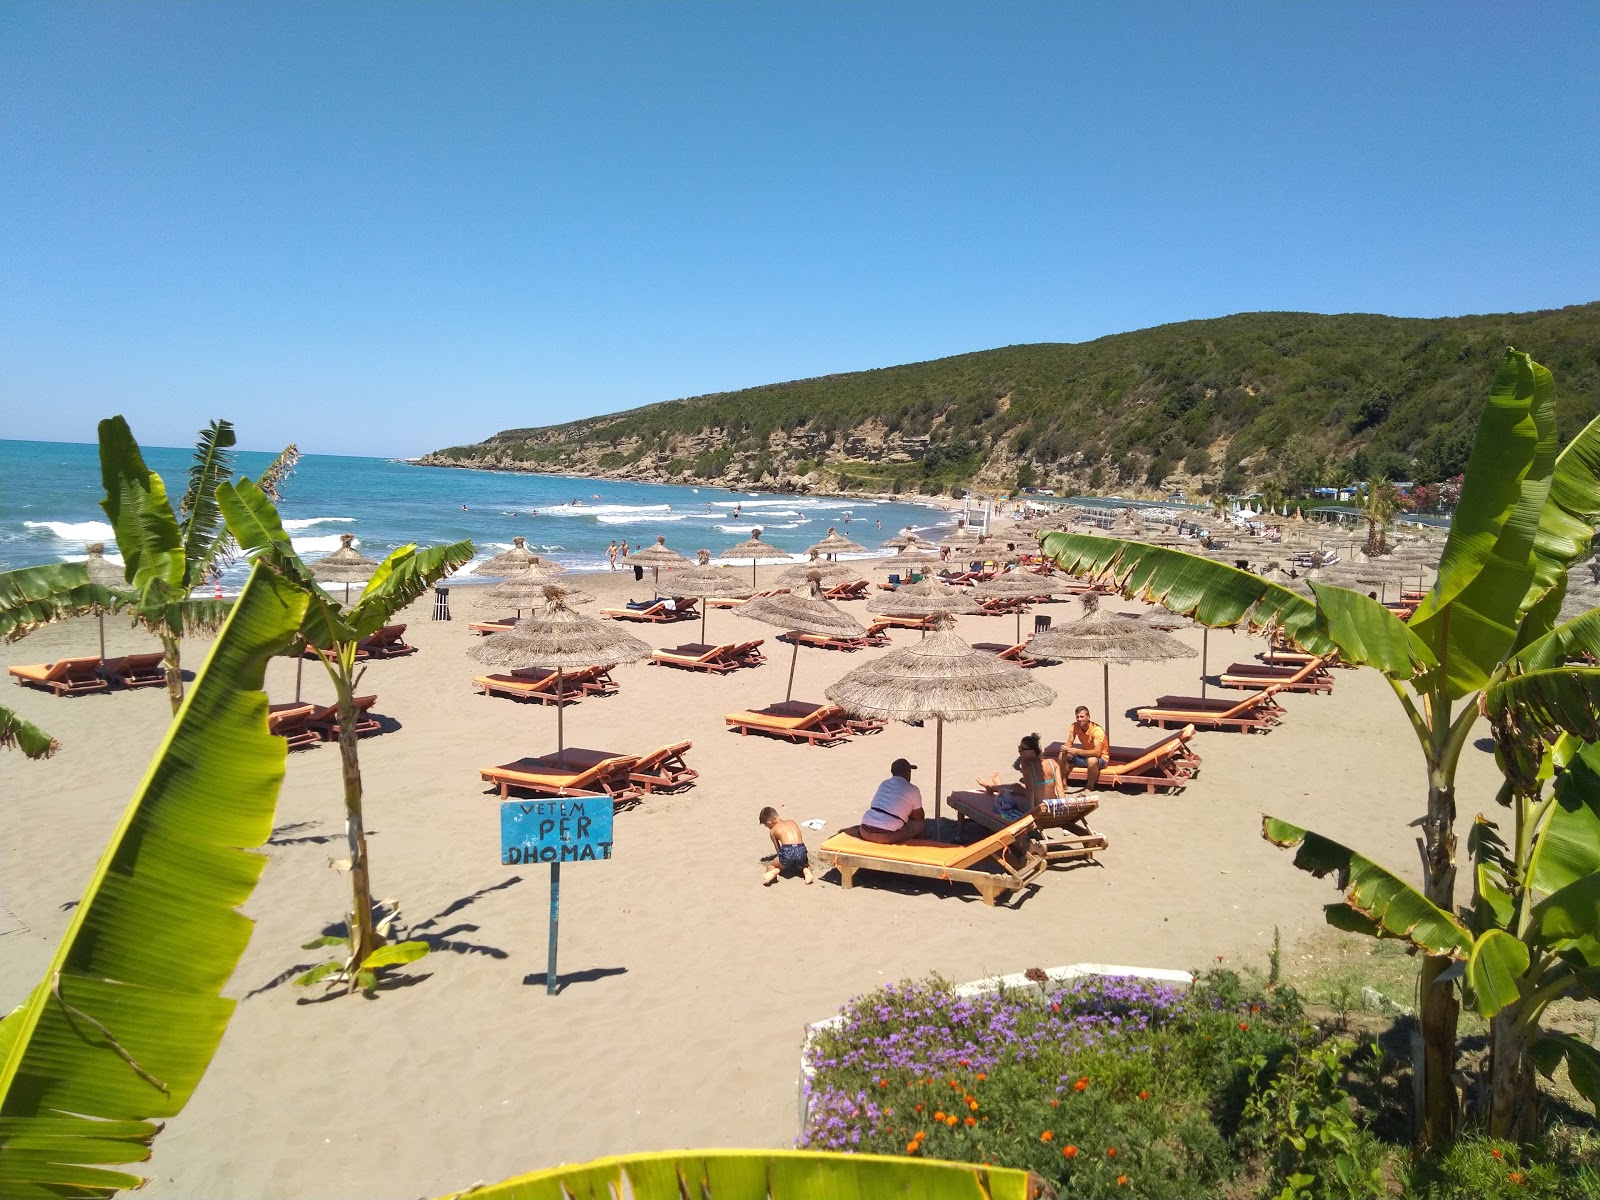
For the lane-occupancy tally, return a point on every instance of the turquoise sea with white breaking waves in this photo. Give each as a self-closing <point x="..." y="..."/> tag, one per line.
<point x="50" y="511"/>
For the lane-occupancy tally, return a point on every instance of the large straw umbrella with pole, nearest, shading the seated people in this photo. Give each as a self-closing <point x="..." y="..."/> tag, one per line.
<point x="940" y="678"/>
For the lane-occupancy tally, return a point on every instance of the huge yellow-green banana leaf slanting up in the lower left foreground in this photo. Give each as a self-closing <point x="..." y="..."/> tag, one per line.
<point x="130" y="1012"/>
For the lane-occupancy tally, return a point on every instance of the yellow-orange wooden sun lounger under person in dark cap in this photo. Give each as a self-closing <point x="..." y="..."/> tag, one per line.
<point x="1004" y="862"/>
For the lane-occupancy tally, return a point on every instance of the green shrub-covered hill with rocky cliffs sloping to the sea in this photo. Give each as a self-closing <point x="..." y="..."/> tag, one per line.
<point x="1263" y="399"/>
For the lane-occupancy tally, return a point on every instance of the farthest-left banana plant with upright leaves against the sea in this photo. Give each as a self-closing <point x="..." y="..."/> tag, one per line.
<point x="167" y="553"/>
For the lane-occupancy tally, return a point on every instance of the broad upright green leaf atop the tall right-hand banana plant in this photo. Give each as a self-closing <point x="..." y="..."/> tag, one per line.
<point x="1471" y="617"/>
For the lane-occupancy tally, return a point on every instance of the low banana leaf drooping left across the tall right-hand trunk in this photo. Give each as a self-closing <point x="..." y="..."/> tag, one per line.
<point x="1390" y="906"/>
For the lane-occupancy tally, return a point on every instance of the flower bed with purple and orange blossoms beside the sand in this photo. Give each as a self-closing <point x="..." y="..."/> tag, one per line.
<point x="1102" y="1086"/>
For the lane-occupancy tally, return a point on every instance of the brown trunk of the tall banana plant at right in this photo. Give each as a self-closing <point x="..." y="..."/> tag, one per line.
<point x="1438" y="1004"/>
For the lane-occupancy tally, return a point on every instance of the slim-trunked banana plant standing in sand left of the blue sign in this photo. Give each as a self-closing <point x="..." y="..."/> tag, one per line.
<point x="337" y="633"/>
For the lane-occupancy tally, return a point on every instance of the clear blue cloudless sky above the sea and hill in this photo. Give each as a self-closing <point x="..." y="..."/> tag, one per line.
<point x="385" y="228"/>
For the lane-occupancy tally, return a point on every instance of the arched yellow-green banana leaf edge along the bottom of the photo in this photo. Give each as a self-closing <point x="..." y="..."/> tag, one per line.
<point x="751" y="1175"/>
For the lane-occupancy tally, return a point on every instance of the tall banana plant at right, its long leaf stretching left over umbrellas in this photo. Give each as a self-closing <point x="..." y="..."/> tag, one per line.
<point x="1526" y="516"/>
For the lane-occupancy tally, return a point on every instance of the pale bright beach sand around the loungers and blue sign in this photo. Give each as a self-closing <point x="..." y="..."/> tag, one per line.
<point x="686" y="983"/>
